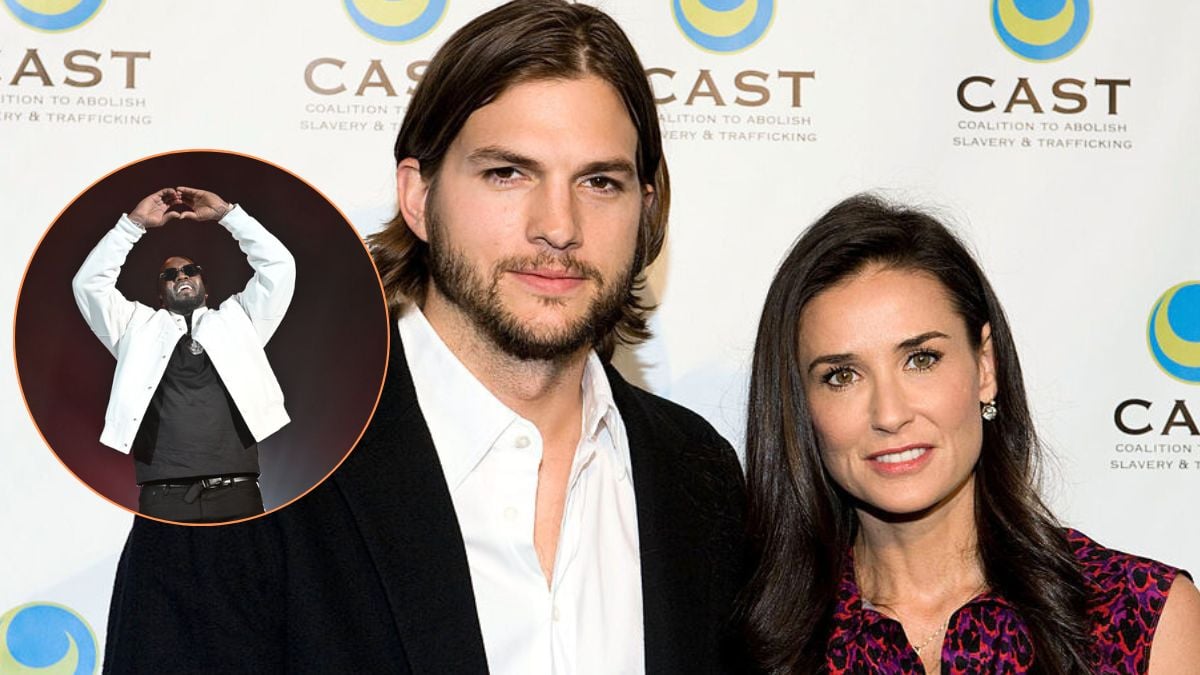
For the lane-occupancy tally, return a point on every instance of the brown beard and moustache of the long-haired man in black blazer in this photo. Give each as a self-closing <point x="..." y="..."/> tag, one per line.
<point x="479" y="300"/>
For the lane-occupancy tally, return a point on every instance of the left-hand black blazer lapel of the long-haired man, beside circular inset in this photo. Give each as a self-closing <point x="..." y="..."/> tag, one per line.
<point x="395" y="488"/>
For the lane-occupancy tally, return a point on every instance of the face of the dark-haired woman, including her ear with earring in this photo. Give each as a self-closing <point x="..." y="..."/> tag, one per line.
<point x="895" y="389"/>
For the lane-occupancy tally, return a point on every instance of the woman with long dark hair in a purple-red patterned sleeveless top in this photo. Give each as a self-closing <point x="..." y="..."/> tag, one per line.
<point x="892" y="467"/>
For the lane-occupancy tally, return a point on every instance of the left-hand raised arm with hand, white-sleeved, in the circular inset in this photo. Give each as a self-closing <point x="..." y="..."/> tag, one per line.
<point x="106" y="310"/>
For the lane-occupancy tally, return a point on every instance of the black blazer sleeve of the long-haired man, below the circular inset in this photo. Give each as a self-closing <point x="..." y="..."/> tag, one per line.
<point x="199" y="600"/>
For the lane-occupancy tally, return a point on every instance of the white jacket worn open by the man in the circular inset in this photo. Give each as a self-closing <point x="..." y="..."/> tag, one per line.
<point x="142" y="338"/>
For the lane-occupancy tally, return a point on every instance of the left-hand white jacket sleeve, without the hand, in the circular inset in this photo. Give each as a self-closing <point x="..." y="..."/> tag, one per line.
<point x="106" y="310"/>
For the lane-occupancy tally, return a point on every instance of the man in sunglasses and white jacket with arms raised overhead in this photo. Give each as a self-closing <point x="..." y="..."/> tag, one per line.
<point x="194" y="392"/>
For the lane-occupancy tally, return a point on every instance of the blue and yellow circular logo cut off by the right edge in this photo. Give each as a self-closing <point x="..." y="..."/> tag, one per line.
<point x="1174" y="332"/>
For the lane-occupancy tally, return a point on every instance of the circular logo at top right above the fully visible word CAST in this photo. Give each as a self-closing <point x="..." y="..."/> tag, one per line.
<point x="1042" y="31"/>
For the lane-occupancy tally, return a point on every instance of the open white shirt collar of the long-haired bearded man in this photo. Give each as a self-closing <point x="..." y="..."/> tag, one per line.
<point x="466" y="420"/>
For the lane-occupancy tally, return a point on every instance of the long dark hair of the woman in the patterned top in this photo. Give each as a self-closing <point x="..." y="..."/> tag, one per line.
<point x="802" y="525"/>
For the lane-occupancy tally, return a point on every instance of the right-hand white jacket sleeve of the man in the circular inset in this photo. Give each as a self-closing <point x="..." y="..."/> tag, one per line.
<point x="267" y="297"/>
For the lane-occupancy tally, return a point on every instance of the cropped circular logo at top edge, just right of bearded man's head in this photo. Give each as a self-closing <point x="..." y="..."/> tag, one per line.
<point x="724" y="26"/>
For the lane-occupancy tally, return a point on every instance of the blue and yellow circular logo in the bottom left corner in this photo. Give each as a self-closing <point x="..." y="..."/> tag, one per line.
<point x="46" y="637"/>
